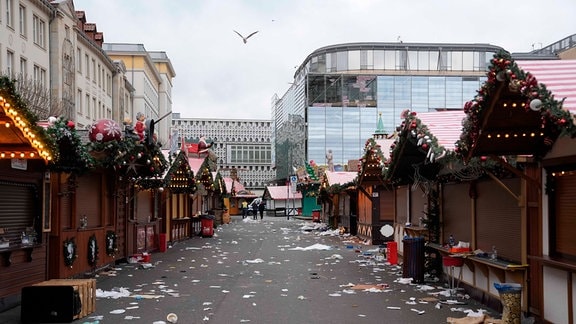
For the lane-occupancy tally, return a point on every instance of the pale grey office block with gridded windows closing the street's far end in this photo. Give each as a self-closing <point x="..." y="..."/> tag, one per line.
<point x="240" y="144"/>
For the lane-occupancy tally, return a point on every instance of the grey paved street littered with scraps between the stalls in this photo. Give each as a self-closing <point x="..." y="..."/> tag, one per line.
<point x="269" y="271"/>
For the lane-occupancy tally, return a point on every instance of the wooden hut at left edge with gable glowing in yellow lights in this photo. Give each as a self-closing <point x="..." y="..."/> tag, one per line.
<point x="25" y="196"/>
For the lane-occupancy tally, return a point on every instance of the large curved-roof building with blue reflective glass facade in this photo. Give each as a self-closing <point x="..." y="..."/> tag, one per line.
<point x="339" y="91"/>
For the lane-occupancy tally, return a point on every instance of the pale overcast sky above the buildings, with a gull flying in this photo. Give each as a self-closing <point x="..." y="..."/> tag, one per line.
<point x="218" y="76"/>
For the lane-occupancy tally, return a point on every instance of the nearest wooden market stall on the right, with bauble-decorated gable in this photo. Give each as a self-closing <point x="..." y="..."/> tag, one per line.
<point x="515" y="121"/>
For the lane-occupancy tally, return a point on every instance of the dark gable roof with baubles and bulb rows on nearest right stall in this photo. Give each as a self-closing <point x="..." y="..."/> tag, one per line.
<point x="514" y="113"/>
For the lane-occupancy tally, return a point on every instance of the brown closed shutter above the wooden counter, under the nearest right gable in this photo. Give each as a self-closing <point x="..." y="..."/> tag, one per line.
<point x="498" y="219"/>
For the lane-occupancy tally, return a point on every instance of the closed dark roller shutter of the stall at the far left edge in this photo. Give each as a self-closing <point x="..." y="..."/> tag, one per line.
<point x="18" y="209"/>
